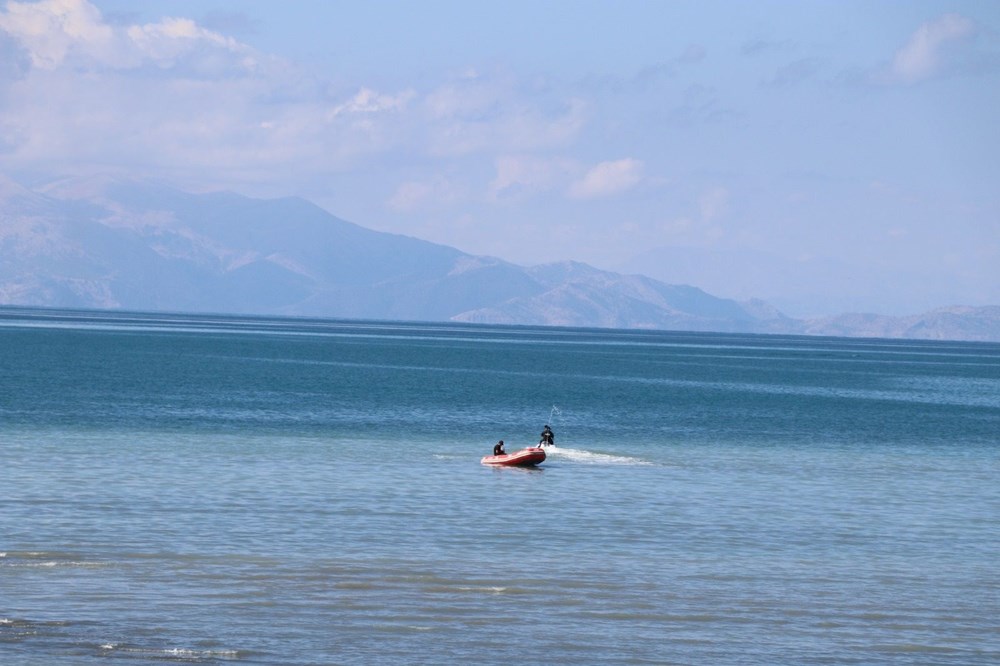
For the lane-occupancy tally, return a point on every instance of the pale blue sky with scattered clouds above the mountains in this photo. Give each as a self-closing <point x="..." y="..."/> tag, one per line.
<point x="825" y="156"/>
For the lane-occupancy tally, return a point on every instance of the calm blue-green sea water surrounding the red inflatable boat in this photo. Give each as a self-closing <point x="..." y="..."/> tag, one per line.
<point x="179" y="489"/>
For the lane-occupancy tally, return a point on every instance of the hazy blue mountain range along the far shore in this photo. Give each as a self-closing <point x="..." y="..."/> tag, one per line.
<point x="110" y="243"/>
